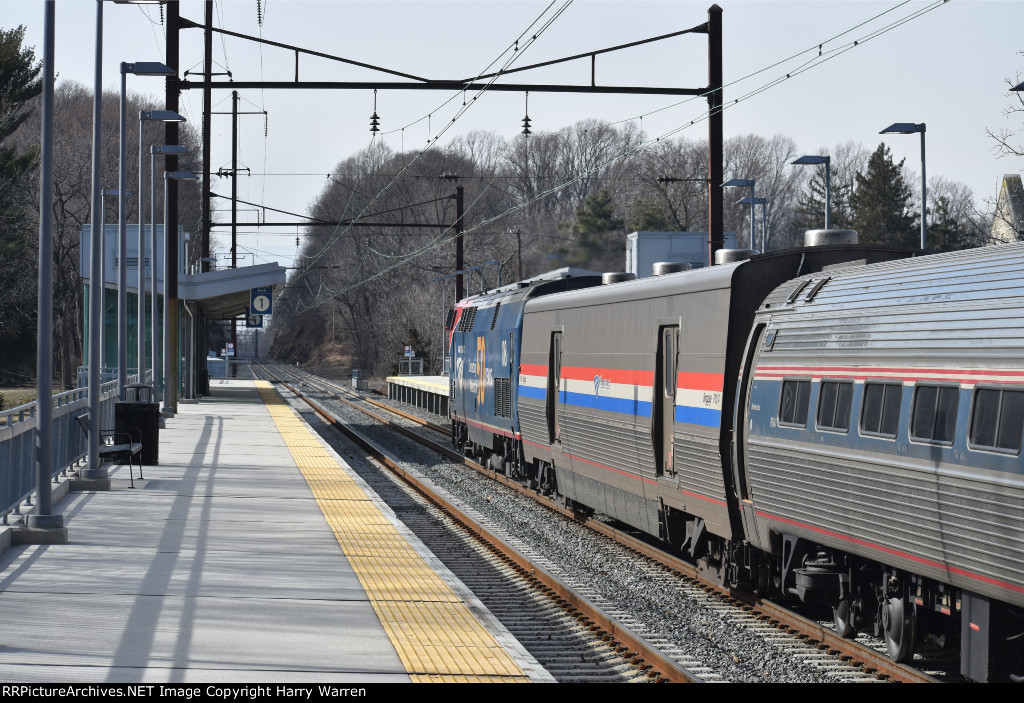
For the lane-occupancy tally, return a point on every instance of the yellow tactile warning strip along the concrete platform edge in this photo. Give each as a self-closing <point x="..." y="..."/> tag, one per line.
<point x="436" y="635"/>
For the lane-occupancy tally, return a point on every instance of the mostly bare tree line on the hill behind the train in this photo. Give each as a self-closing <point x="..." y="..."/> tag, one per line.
<point x="564" y="199"/>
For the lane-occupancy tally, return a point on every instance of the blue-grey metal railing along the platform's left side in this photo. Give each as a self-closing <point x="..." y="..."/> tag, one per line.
<point x="18" y="446"/>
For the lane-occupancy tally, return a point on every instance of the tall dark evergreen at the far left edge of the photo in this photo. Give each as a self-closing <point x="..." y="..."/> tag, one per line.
<point x="20" y="83"/>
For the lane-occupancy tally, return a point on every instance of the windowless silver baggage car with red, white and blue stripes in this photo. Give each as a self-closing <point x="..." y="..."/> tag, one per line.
<point x="626" y="394"/>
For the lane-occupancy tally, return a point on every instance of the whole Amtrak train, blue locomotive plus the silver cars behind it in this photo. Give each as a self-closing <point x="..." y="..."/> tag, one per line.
<point x="838" y="424"/>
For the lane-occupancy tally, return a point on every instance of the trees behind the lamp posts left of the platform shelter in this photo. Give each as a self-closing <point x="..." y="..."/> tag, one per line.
<point x="20" y="139"/>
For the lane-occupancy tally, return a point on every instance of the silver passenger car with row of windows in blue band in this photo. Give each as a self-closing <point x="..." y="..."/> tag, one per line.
<point x="879" y="450"/>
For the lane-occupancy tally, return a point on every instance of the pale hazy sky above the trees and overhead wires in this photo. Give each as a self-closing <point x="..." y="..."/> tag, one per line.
<point x="947" y="68"/>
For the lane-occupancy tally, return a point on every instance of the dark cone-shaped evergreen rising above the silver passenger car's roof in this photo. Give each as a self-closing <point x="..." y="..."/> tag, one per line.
<point x="882" y="204"/>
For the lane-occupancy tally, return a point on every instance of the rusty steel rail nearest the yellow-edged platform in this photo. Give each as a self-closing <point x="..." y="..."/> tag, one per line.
<point x="628" y="644"/>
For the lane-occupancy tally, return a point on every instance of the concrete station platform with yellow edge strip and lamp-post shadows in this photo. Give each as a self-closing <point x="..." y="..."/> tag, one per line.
<point x="251" y="554"/>
